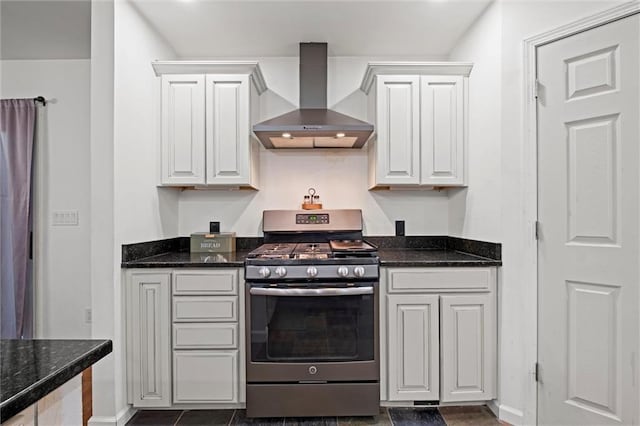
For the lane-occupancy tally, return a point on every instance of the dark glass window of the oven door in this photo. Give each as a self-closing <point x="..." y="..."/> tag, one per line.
<point x="312" y="328"/>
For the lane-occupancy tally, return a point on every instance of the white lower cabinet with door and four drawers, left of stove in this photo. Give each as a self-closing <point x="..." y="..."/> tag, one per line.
<point x="184" y="346"/>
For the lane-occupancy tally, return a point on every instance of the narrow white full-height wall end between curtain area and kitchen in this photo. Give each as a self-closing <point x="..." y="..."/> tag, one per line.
<point x="103" y="290"/>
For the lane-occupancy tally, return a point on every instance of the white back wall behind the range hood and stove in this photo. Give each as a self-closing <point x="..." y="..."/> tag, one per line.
<point x="339" y="176"/>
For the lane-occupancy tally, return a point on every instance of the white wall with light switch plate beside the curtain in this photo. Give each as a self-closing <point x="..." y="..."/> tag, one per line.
<point x="64" y="290"/>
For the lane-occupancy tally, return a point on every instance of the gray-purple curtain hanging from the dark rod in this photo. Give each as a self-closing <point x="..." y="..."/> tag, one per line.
<point x="17" y="129"/>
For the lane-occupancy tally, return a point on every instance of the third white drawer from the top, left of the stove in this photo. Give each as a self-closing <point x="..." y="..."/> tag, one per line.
<point x="205" y="336"/>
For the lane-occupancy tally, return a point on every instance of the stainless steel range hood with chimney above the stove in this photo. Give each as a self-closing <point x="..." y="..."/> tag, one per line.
<point x="313" y="125"/>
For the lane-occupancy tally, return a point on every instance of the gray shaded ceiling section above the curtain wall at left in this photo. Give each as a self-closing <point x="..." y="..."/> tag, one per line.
<point x="47" y="29"/>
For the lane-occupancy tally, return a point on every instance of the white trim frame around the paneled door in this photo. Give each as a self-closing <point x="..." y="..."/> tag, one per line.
<point x="530" y="181"/>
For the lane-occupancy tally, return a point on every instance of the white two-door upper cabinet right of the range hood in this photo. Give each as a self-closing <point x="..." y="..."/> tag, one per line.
<point x="420" y="115"/>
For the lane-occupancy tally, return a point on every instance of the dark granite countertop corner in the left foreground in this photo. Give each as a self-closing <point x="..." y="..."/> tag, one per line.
<point x="30" y="369"/>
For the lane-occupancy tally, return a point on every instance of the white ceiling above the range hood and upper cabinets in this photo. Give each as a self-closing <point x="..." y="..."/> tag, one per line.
<point x="241" y="28"/>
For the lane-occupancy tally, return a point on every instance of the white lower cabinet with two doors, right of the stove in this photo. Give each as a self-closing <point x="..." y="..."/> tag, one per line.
<point x="440" y="338"/>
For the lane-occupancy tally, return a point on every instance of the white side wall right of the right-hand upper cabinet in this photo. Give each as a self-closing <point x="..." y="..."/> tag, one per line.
<point x="474" y="212"/>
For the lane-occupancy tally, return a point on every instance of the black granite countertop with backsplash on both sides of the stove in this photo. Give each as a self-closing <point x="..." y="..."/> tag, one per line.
<point x="409" y="251"/>
